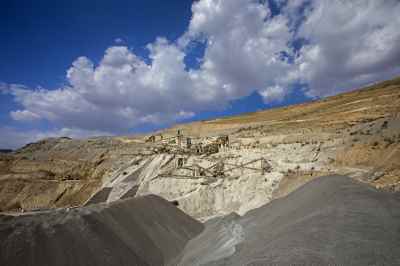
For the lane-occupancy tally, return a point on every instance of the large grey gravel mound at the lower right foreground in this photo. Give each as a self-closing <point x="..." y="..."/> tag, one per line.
<point x="332" y="220"/>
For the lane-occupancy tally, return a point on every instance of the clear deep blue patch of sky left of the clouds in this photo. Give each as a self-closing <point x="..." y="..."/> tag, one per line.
<point x="42" y="38"/>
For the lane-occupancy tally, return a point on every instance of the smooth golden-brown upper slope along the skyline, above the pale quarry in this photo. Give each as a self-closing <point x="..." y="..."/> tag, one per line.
<point x="375" y="101"/>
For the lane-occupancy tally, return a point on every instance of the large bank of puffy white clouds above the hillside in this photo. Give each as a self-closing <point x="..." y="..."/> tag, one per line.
<point x="321" y="47"/>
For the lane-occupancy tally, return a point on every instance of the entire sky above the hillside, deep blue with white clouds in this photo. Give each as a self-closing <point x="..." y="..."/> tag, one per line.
<point x="83" y="68"/>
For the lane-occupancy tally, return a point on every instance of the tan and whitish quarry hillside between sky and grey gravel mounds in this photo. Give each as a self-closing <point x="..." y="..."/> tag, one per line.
<point x="232" y="164"/>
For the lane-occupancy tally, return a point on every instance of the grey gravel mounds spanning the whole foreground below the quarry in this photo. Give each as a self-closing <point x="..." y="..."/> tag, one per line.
<point x="332" y="220"/>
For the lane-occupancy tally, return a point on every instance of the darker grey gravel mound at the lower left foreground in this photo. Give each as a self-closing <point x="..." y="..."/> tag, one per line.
<point x="141" y="231"/>
